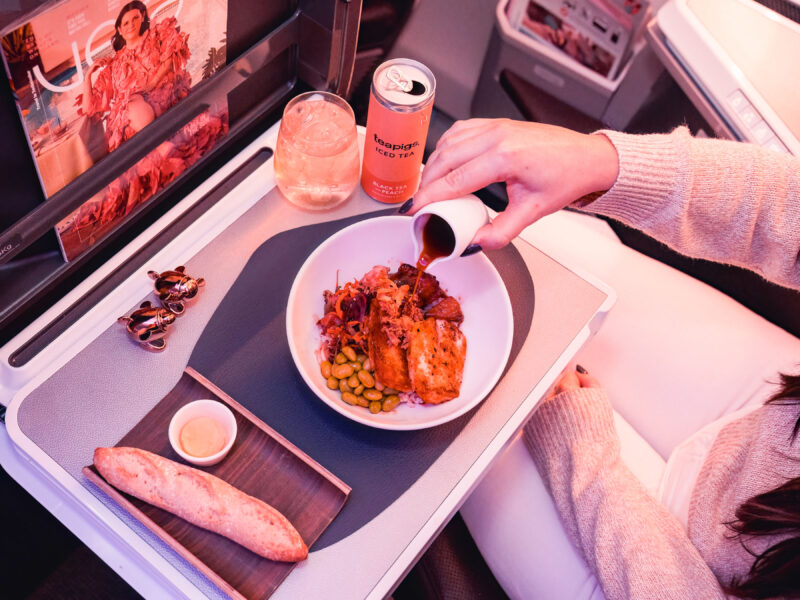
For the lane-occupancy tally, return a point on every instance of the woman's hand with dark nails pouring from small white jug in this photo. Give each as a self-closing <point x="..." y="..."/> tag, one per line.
<point x="545" y="169"/>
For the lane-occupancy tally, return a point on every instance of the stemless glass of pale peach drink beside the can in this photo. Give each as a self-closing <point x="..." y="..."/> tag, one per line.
<point x="316" y="157"/>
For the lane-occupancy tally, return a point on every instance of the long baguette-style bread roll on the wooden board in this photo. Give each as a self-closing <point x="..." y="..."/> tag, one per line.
<point x="203" y="500"/>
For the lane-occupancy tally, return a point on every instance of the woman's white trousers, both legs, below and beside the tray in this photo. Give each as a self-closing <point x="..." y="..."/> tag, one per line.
<point x="674" y="354"/>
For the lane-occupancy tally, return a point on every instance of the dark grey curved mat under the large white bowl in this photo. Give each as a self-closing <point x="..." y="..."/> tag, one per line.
<point x="245" y="352"/>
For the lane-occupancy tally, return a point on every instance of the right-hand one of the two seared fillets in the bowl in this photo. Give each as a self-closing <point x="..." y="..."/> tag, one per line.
<point x="436" y="354"/>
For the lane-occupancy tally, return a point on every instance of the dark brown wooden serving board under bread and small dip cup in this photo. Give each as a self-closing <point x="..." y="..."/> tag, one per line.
<point x="261" y="463"/>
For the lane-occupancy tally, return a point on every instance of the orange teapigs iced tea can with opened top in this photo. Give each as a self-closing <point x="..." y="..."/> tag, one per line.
<point x="399" y="113"/>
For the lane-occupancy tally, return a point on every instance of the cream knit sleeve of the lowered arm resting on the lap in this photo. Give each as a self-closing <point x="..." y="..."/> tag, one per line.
<point x="635" y="547"/>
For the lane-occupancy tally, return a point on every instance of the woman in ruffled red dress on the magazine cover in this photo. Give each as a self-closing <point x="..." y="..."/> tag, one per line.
<point x="145" y="77"/>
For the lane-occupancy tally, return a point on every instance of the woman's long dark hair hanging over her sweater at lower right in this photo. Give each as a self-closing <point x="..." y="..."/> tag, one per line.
<point x="776" y="570"/>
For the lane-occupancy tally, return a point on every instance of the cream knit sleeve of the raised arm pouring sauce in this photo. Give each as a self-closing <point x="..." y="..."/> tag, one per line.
<point x="729" y="202"/>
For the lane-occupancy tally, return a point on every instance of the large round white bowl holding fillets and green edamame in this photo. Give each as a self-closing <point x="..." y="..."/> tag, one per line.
<point x="488" y="322"/>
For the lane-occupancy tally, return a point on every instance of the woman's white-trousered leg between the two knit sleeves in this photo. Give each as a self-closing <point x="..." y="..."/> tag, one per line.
<point x="674" y="353"/>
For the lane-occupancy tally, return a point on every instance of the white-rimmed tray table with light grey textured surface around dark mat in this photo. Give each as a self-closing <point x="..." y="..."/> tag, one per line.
<point x="45" y="443"/>
